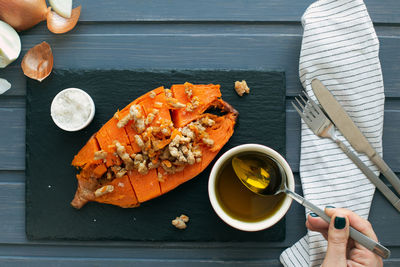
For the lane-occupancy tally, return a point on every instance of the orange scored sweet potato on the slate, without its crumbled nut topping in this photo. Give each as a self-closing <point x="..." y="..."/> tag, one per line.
<point x="134" y="188"/>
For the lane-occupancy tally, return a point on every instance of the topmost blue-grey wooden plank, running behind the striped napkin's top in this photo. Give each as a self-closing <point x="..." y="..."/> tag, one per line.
<point x="208" y="10"/>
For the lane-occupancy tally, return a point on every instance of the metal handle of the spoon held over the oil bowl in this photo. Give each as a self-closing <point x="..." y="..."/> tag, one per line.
<point x="357" y="236"/>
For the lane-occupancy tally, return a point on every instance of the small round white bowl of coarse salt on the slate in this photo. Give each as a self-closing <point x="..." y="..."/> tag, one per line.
<point x="71" y="109"/>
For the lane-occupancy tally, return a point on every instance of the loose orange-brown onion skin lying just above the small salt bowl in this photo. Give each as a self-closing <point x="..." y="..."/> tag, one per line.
<point x="38" y="62"/>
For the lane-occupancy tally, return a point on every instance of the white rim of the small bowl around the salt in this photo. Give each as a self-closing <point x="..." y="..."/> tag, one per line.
<point x="90" y="108"/>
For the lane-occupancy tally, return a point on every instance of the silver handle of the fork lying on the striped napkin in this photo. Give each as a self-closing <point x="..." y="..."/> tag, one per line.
<point x="371" y="176"/>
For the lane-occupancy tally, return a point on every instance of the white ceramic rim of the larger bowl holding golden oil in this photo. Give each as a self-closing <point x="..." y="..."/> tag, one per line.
<point x="250" y="226"/>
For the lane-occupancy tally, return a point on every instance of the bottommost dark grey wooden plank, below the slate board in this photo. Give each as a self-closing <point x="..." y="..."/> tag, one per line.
<point x="184" y="253"/>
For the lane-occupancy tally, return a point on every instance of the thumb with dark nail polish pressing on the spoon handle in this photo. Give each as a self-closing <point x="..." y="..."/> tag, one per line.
<point x="338" y="235"/>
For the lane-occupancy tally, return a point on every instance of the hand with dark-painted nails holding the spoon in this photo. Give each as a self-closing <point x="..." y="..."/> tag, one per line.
<point x="343" y="251"/>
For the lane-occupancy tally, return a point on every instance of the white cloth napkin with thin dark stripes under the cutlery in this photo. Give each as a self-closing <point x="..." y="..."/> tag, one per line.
<point x="340" y="48"/>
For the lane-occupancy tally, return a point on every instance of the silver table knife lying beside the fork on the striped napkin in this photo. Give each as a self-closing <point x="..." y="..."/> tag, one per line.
<point x="350" y="131"/>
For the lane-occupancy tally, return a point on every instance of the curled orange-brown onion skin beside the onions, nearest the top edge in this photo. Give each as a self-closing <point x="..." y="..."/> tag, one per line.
<point x="58" y="24"/>
